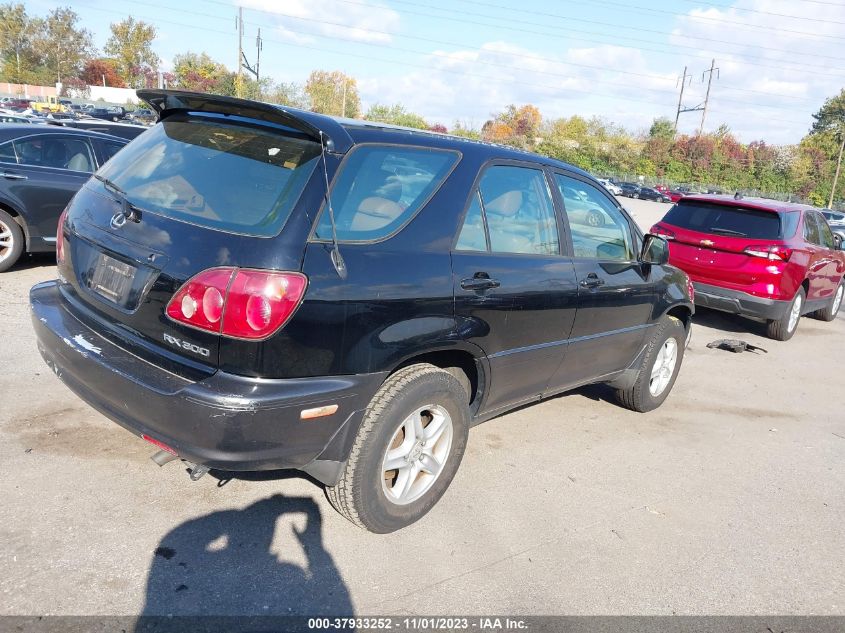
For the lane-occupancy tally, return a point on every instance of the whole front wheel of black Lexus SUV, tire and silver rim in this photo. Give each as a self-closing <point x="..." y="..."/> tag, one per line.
<point x="648" y="392"/>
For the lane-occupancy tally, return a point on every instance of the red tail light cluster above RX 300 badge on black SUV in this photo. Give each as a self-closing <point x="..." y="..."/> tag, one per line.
<point x="238" y="302"/>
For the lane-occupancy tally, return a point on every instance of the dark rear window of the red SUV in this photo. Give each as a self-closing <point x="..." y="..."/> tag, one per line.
<point x="725" y="220"/>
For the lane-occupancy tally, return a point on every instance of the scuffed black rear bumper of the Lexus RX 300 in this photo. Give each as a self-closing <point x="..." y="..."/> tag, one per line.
<point x="225" y="421"/>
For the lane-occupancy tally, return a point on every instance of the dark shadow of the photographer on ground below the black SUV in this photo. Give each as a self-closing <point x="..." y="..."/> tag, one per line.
<point x="224" y="564"/>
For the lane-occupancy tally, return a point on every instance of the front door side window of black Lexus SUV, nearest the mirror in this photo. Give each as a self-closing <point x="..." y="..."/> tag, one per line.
<point x="598" y="228"/>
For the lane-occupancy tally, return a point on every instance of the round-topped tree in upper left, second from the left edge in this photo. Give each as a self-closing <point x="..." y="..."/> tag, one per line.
<point x="65" y="46"/>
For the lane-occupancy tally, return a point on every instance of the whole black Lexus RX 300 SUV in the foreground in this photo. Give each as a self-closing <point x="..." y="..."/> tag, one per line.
<point x="251" y="287"/>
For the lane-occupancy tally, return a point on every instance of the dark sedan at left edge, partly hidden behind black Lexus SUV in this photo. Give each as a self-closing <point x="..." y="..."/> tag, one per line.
<point x="42" y="168"/>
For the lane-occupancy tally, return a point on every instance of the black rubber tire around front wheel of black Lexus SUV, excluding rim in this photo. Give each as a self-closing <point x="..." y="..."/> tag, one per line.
<point x="639" y="397"/>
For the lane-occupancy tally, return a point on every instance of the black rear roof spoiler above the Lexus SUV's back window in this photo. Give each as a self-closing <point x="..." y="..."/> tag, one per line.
<point x="168" y="102"/>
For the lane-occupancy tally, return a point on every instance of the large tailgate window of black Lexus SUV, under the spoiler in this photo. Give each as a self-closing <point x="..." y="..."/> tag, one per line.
<point x="227" y="176"/>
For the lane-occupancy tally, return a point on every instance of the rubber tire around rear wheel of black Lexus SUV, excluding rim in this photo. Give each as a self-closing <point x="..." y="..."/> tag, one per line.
<point x="360" y="494"/>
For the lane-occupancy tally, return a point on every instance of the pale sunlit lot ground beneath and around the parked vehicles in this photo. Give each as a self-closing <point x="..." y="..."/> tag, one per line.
<point x="730" y="499"/>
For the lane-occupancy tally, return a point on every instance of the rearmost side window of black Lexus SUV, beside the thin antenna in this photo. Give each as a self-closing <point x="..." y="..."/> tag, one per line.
<point x="380" y="188"/>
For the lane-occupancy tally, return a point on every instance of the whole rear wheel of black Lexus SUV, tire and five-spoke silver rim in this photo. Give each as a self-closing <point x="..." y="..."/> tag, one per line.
<point x="376" y="499"/>
